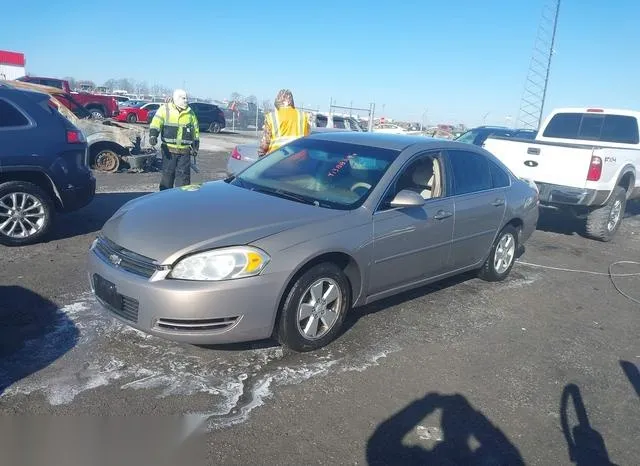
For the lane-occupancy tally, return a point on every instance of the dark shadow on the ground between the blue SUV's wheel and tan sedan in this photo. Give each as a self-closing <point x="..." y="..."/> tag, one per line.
<point x="91" y="218"/>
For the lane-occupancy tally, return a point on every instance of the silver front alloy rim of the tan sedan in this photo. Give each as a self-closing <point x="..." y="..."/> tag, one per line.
<point x="319" y="309"/>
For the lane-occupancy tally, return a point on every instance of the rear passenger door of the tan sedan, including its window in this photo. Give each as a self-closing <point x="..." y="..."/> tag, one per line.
<point x="479" y="206"/>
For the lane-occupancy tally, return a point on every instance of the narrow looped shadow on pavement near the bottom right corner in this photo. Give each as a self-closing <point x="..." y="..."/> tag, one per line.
<point x="585" y="445"/>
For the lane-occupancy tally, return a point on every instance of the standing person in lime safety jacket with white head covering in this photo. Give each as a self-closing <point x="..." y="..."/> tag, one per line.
<point x="177" y="126"/>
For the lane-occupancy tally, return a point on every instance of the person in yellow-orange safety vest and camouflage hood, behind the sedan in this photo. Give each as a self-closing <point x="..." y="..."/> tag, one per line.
<point x="285" y="124"/>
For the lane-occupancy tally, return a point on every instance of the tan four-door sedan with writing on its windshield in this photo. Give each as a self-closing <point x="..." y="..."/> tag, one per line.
<point x="328" y="222"/>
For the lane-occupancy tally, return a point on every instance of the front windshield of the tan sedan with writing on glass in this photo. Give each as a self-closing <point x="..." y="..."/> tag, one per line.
<point x="327" y="174"/>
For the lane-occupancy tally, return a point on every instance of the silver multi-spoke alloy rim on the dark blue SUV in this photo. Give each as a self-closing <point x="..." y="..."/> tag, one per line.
<point x="22" y="215"/>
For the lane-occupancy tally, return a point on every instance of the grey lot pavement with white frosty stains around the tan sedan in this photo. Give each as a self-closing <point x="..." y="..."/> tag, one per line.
<point x="462" y="368"/>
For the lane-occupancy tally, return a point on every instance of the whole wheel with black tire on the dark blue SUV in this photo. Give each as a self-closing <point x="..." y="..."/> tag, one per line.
<point x="41" y="217"/>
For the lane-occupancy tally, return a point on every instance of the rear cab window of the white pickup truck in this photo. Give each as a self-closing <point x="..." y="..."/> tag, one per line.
<point x="619" y="129"/>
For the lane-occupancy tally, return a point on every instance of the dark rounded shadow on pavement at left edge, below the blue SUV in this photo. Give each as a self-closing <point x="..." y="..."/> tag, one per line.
<point x="34" y="332"/>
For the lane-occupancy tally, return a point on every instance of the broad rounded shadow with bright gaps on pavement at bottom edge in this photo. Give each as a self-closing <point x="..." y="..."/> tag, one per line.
<point x="465" y="436"/>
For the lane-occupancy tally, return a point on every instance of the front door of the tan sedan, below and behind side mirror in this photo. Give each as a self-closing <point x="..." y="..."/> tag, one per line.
<point x="412" y="244"/>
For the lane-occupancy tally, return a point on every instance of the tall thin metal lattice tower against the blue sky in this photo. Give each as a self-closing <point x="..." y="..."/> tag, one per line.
<point x="535" y="88"/>
